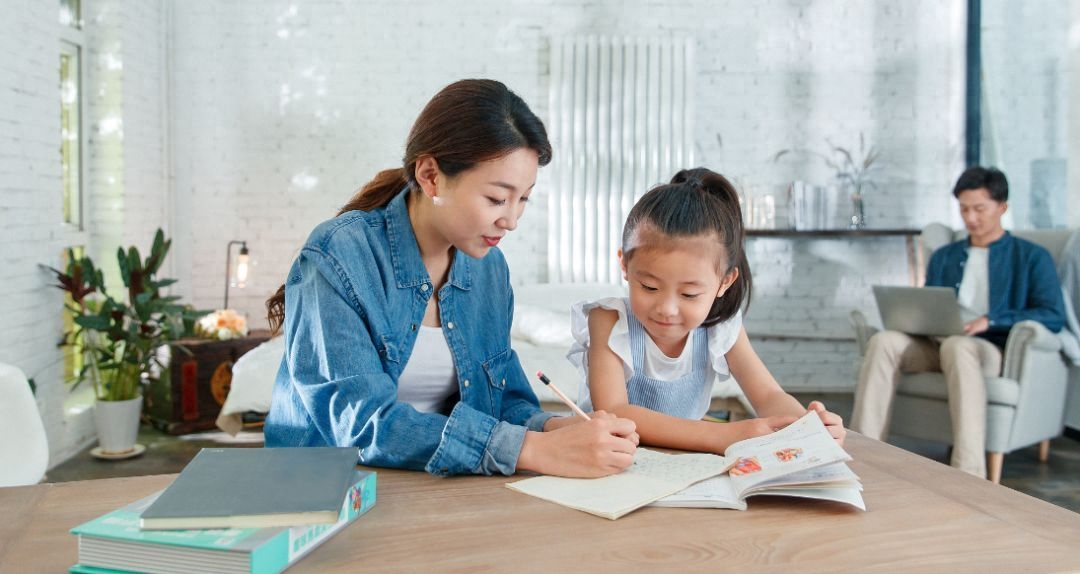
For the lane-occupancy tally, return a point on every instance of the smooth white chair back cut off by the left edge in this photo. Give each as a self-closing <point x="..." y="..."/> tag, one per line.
<point x="24" y="449"/>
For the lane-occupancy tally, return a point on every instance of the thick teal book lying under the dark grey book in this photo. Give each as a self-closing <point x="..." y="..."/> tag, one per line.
<point x="115" y="543"/>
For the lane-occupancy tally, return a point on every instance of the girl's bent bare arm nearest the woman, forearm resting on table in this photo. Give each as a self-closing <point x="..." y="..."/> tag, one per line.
<point x="607" y="386"/>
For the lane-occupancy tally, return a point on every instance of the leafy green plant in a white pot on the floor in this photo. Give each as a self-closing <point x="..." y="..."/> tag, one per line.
<point x="121" y="337"/>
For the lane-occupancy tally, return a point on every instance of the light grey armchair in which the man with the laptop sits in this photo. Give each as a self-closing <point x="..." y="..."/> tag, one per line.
<point x="1025" y="405"/>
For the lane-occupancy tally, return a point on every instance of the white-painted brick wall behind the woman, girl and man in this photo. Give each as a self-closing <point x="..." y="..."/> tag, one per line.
<point x="255" y="121"/>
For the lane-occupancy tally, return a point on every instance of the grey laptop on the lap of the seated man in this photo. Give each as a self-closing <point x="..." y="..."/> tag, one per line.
<point x="929" y="312"/>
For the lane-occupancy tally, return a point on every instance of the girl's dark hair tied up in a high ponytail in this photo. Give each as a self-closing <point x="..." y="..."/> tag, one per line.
<point x="698" y="203"/>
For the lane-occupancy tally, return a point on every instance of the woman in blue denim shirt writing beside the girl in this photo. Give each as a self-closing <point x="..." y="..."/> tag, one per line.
<point x="397" y="313"/>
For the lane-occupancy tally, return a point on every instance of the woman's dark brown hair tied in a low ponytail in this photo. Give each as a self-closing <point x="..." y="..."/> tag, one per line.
<point x="467" y="123"/>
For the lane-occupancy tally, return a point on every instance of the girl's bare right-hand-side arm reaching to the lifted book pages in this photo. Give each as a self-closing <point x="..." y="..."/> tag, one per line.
<point x="766" y="395"/>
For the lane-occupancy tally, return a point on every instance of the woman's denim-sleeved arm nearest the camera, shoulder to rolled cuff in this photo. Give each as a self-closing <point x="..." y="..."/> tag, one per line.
<point x="336" y="383"/>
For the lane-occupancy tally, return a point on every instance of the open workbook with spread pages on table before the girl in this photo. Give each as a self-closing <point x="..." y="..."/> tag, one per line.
<point x="802" y="460"/>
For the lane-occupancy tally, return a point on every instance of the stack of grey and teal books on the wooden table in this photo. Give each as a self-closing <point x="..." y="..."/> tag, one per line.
<point x="233" y="511"/>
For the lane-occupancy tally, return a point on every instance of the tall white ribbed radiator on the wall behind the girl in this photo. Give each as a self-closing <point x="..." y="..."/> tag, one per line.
<point x="622" y="123"/>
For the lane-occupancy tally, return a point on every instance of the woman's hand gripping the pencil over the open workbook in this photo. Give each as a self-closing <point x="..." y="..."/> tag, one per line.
<point x="583" y="449"/>
